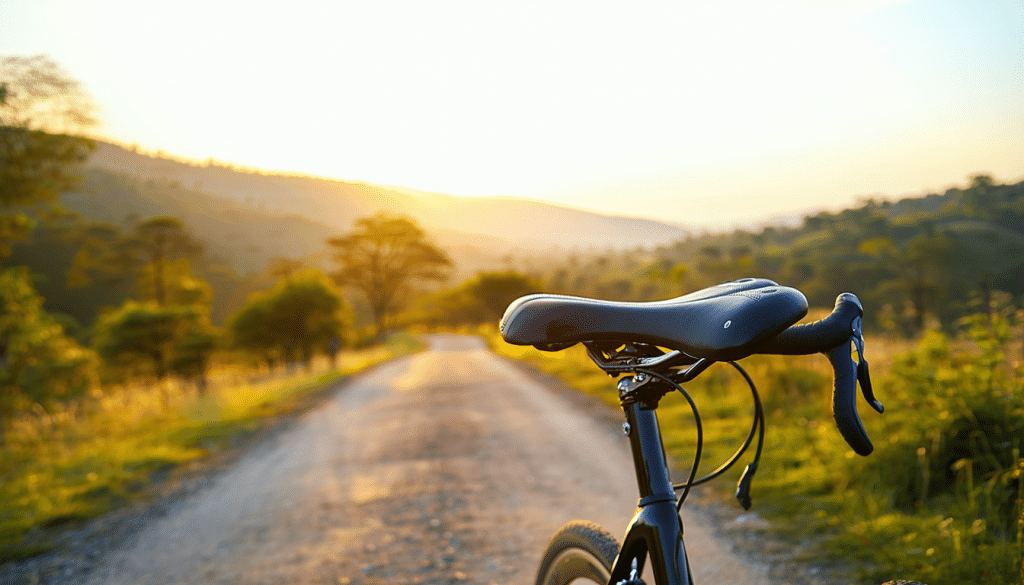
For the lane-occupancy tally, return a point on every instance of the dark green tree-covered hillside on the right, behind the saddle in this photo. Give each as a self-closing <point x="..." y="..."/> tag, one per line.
<point x="917" y="262"/>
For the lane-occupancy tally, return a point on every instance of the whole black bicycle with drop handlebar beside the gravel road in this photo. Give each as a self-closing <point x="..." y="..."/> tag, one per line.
<point x="723" y="323"/>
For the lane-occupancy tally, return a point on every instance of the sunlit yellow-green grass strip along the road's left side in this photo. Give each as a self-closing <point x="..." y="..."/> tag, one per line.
<point x="63" y="468"/>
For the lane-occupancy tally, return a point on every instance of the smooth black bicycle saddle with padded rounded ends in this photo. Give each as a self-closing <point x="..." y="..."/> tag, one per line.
<point x="724" y="322"/>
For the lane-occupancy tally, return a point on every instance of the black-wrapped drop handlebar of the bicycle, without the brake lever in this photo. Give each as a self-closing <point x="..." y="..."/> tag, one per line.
<point x="832" y="337"/>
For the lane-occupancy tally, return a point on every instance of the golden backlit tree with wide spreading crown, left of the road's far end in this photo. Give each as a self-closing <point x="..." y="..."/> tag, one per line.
<point x="382" y="258"/>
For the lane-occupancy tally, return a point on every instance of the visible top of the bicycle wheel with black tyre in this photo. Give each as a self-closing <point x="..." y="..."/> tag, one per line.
<point x="580" y="551"/>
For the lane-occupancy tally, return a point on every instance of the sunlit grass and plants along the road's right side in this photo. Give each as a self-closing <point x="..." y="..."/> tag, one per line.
<point x="887" y="515"/>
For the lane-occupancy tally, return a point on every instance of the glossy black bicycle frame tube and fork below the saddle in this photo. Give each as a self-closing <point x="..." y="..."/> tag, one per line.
<point x="657" y="529"/>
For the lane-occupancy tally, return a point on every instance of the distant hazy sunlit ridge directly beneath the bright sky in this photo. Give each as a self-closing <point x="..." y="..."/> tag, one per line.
<point x="500" y="225"/>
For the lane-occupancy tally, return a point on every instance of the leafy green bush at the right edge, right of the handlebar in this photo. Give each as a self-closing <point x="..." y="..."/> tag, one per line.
<point x="954" y="455"/>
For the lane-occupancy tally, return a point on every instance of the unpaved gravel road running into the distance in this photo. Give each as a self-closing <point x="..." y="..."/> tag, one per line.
<point x="447" y="467"/>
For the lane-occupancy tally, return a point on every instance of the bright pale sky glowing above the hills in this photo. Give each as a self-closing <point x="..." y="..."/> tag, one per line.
<point x="713" y="114"/>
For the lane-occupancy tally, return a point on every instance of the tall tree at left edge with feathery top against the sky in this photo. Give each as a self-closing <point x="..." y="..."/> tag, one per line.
<point x="39" y="105"/>
